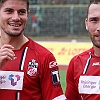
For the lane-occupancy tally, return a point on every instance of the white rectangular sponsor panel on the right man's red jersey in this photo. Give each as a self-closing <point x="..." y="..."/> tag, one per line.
<point x="89" y="85"/>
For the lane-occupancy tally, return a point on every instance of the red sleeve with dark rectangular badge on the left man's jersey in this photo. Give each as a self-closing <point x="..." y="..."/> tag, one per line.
<point x="50" y="81"/>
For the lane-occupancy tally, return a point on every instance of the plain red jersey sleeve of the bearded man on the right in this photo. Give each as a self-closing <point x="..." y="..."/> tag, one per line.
<point x="71" y="89"/>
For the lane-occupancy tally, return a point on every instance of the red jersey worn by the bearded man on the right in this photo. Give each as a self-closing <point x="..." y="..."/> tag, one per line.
<point x="84" y="64"/>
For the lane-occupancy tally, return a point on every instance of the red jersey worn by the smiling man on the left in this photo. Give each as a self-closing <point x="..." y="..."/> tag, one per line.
<point x="41" y="76"/>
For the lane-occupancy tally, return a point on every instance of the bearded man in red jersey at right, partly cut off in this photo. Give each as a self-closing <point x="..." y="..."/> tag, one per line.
<point x="83" y="75"/>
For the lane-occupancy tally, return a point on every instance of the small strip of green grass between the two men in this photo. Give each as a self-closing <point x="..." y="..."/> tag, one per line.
<point x="63" y="79"/>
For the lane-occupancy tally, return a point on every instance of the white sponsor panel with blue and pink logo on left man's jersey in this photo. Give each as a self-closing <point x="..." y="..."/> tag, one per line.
<point x="12" y="80"/>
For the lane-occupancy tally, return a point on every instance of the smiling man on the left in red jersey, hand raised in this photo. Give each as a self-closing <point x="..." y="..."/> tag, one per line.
<point x="28" y="71"/>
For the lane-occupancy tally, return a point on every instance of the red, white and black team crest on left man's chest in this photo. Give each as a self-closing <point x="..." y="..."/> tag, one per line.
<point x="32" y="68"/>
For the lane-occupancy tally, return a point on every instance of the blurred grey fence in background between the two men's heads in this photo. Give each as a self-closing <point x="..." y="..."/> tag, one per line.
<point x="57" y="18"/>
